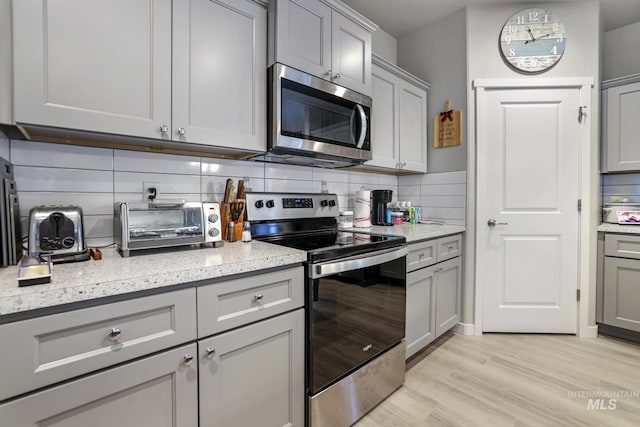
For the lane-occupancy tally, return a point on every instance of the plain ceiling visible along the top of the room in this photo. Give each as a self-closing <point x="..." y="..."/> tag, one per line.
<point x="398" y="17"/>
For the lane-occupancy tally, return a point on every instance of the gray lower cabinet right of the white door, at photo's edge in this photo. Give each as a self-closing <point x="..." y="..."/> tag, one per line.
<point x="621" y="299"/>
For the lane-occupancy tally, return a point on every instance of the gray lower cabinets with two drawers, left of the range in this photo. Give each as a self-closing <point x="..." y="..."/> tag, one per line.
<point x="228" y="353"/>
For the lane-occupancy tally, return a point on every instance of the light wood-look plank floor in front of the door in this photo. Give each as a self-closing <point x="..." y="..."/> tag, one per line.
<point x="516" y="380"/>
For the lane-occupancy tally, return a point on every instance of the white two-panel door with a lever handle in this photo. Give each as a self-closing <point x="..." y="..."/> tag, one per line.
<point x="528" y="183"/>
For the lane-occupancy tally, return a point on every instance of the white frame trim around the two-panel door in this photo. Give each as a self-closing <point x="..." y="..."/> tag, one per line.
<point x="588" y="181"/>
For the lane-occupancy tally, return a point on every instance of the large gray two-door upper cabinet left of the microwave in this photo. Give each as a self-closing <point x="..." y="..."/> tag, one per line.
<point x="193" y="71"/>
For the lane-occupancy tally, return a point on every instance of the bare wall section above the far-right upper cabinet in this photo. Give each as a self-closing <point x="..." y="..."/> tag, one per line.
<point x="621" y="52"/>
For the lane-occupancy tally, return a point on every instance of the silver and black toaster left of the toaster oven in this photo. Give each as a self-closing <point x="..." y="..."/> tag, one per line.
<point x="57" y="231"/>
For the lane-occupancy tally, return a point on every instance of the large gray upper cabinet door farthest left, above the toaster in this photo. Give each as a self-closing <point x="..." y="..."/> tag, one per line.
<point x="93" y="65"/>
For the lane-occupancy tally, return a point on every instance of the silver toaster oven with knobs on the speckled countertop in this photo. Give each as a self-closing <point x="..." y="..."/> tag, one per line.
<point x="162" y="224"/>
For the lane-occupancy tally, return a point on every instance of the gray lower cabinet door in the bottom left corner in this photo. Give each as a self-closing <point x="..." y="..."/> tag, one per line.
<point x="156" y="391"/>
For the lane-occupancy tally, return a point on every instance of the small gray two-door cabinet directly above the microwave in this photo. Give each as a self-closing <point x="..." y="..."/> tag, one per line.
<point x="323" y="38"/>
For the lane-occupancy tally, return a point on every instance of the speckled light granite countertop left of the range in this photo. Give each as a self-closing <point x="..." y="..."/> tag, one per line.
<point x="114" y="275"/>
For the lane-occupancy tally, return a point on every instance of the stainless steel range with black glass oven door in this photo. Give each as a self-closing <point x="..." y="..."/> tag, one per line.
<point x="355" y="303"/>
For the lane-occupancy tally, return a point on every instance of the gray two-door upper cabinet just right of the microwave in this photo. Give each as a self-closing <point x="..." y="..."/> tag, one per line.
<point x="399" y="127"/>
